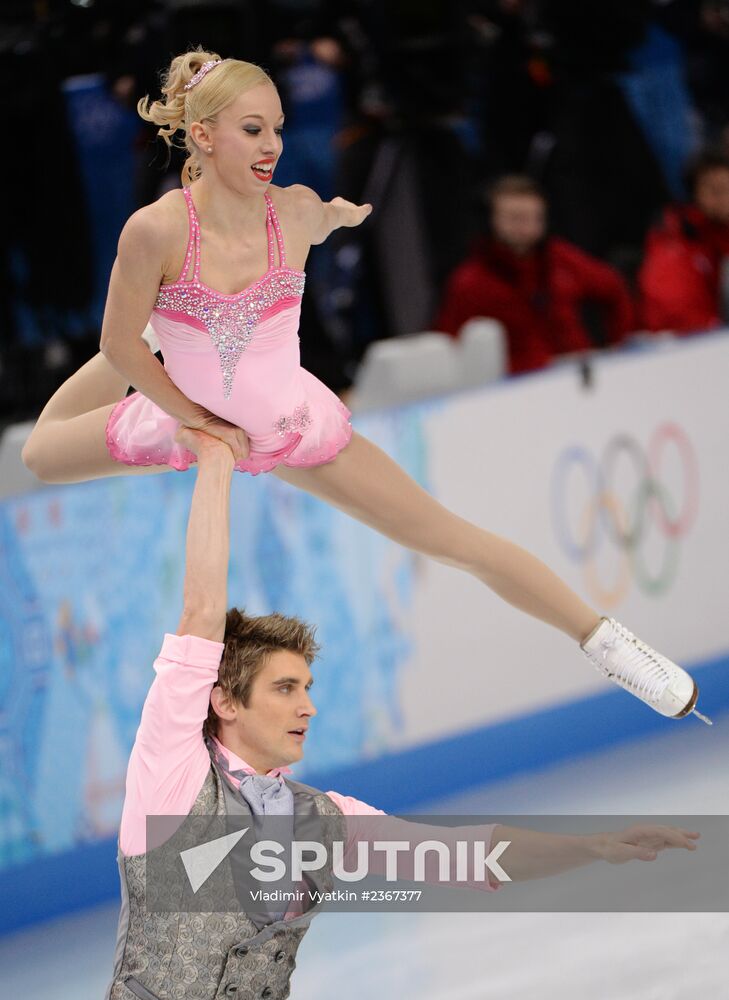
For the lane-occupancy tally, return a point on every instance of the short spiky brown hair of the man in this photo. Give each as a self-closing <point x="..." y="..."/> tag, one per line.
<point x="248" y="643"/>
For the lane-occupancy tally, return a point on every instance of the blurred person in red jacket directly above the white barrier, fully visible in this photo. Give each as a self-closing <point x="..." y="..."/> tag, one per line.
<point x="538" y="286"/>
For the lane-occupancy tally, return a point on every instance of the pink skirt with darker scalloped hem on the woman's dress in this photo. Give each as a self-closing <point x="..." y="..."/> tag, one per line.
<point x="138" y="432"/>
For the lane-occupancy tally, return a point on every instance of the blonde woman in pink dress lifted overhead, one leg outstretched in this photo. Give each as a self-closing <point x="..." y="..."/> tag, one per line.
<point x="218" y="267"/>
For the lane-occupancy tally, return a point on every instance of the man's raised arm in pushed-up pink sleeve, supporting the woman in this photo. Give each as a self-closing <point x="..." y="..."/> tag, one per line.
<point x="169" y="760"/>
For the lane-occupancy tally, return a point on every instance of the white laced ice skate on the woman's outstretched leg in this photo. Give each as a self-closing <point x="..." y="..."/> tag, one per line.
<point x="635" y="666"/>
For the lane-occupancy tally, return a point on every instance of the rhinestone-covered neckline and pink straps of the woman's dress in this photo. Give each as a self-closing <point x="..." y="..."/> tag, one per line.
<point x="230" y="320"/>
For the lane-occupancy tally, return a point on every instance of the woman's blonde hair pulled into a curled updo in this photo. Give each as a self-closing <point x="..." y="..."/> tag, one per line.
<point x="179" y="108"/>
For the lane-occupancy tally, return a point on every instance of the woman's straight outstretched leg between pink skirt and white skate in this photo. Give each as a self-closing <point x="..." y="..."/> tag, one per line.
<point x="366" y="483"/>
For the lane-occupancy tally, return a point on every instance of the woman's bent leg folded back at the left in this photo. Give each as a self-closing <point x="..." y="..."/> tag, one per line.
<point x="68" y="442"/>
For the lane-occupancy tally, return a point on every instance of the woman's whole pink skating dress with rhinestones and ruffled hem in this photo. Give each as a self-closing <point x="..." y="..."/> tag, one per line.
<point x="238" y="356"/>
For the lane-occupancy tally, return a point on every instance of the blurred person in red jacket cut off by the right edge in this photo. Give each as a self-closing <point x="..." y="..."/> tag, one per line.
<point x="680" y="281"/>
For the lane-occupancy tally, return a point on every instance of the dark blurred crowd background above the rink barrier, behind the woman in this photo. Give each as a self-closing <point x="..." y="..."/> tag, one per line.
<point x="559" y="165"/>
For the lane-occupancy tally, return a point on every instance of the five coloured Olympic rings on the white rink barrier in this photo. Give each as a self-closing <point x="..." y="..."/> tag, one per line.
<point x="625" y="518"/>
